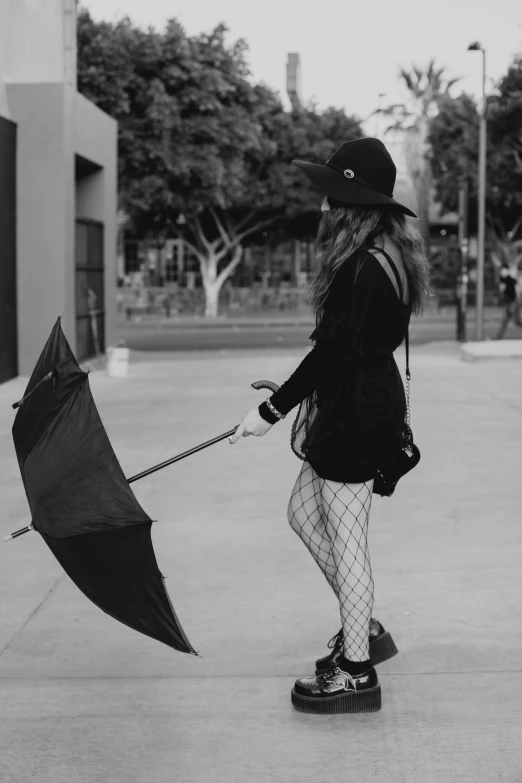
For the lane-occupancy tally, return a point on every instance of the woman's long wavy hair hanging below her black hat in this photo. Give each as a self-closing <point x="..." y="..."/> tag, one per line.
<point x="344" y="230"/>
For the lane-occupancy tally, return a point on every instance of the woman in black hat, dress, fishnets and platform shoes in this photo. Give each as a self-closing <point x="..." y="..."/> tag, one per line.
<point x="371" y="273"/>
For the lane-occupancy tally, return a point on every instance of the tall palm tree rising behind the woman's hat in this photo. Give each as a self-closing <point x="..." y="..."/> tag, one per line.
<point x="426" y="88"/>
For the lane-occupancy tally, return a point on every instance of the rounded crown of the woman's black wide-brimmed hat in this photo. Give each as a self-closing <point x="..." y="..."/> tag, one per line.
<point x="370" y="162"/>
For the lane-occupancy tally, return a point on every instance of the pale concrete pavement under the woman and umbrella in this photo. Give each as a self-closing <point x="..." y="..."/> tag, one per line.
<point x="87" y="700"/>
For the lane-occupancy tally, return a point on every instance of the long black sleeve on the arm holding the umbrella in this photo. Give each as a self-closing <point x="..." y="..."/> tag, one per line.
<point x="335" y="337"/>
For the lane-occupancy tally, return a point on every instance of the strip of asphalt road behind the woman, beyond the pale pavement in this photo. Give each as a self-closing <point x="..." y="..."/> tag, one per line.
<point x="195" y="338"/>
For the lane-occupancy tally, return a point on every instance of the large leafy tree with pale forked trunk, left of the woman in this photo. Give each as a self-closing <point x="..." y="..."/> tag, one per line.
<point x="197" y="137"/>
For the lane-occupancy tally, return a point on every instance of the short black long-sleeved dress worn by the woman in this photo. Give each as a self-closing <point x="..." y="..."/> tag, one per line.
<point x="352" y="401"/>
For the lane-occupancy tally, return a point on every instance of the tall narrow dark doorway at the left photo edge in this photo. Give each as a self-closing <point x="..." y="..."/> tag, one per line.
<point x="8" y="326"/>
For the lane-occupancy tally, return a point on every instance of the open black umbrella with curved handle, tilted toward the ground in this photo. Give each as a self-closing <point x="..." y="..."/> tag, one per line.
<point x="81" y="502"/>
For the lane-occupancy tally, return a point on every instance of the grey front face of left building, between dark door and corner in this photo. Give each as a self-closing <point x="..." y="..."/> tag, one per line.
<point x="43" y="215"/>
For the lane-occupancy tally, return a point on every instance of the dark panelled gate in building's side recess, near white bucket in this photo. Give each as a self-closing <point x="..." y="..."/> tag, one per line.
<point x="90" y="289"/>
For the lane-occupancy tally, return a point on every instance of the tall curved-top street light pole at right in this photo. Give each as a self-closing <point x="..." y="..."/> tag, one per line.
<point x="479" y="323"/>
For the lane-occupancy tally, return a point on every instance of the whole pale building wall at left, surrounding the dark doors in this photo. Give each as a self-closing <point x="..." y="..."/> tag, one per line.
<point x="55" y="125"/>
